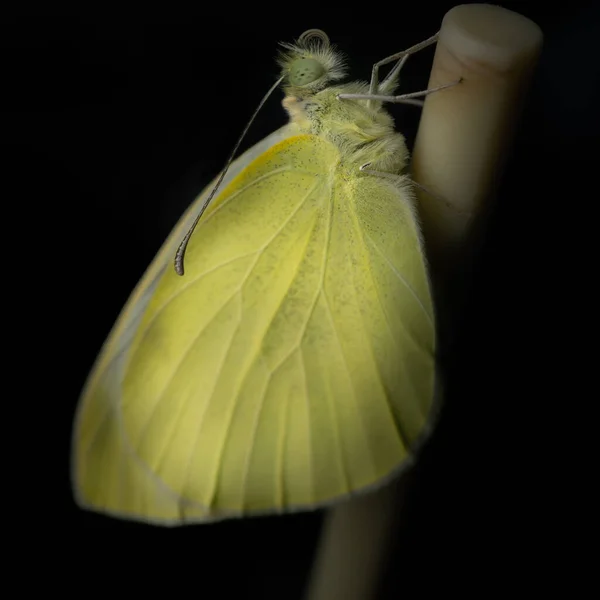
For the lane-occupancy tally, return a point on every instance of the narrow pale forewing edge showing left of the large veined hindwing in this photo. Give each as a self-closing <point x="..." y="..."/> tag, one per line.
<point x="92" y="468"/>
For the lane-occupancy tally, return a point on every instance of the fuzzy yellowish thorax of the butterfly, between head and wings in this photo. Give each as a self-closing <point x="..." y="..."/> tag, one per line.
<point x="363" y="134"/>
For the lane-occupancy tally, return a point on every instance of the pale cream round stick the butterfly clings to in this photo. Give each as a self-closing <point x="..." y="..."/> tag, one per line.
<point x="464" y="135"/>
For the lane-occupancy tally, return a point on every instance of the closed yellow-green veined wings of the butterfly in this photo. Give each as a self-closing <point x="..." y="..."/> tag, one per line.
<point x="291" y="365"/>
